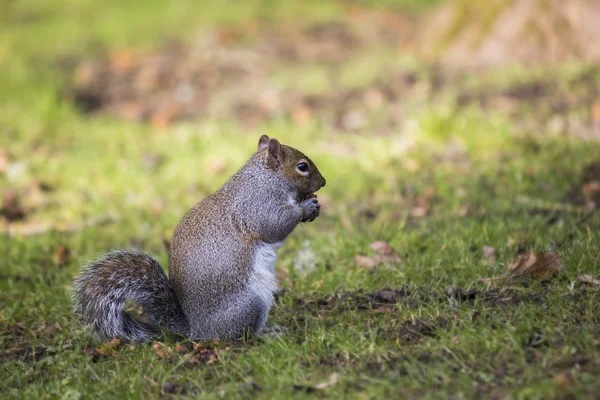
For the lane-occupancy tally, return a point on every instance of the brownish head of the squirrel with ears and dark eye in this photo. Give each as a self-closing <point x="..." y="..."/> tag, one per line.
<point x="294" y="166"/>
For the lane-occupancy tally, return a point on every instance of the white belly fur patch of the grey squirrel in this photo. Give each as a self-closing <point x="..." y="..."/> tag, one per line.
<point x="262" y="280"/>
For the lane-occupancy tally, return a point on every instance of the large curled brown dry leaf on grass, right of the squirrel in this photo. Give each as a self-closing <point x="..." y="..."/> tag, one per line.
<point x="534" y="266"/>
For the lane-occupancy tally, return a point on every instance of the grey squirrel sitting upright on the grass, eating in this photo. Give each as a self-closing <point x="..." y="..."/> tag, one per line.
<point x="221" y="258"/>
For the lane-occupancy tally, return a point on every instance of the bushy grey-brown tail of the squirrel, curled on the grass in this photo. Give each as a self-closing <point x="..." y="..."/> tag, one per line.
<point x="127" y="295"/>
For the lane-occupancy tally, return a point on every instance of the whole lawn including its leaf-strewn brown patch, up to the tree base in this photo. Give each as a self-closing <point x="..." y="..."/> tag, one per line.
<point x="436" y="180"/>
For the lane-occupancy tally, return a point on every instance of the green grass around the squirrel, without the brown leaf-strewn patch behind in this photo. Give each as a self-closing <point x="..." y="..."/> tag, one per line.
<point x="482" y="178"/>
